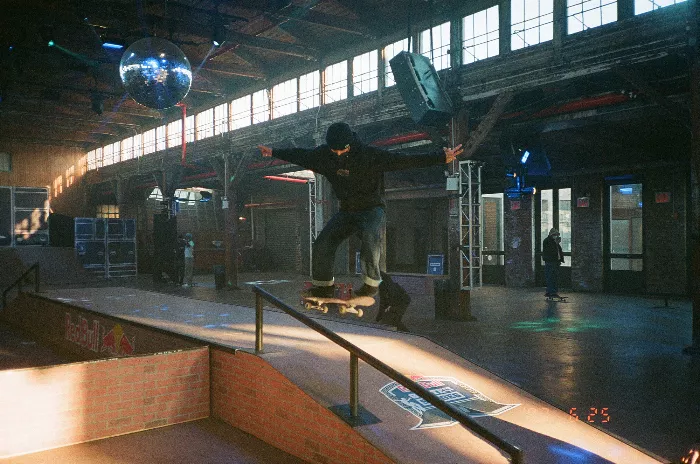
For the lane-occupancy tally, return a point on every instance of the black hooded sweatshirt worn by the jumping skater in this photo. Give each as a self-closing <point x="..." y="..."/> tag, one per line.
<point x="357" y="177"/>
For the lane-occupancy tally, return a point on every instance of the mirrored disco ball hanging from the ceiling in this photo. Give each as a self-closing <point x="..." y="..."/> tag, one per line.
<point x="155" y="73"/>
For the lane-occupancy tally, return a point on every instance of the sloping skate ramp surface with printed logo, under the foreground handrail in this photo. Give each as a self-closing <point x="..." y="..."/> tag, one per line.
<point x="403" y="427"/>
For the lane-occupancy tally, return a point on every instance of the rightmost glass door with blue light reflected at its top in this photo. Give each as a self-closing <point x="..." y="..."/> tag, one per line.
<point x="625" y="245"/>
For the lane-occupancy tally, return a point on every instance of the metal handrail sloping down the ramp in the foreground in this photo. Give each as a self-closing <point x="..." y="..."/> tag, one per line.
<point x="356" y="352"/>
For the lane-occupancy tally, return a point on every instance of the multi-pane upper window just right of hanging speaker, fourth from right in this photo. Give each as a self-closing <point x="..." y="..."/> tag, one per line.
<point x="480" y="35"/>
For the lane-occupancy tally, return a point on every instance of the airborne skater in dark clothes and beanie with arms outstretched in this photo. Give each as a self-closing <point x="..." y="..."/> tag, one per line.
<point x="356" y="173"/>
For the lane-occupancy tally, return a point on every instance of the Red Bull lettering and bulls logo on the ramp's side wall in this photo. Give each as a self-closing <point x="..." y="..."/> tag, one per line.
<point x="96" y="338"/>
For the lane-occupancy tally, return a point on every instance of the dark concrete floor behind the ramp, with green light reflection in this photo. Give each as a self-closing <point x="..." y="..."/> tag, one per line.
<point x="596" y="351"/>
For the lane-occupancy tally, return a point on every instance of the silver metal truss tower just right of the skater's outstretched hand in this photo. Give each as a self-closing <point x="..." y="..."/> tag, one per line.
<point x="470" y="232"/>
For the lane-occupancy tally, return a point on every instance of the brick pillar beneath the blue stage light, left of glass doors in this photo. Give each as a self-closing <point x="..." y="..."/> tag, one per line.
<point x="519" y="232"/>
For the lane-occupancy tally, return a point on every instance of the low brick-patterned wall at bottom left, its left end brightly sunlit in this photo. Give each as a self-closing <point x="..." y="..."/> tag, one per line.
<point x="48" y="407"/>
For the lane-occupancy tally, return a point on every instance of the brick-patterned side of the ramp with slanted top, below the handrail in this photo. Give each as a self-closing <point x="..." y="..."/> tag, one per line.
<point x="249" y="394"/>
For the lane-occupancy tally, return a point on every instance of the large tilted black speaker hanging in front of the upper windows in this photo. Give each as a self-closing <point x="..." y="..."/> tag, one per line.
<point x="421" y="90"/>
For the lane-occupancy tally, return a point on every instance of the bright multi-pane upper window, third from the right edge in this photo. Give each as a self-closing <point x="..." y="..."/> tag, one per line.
<point x="531" y="22"/>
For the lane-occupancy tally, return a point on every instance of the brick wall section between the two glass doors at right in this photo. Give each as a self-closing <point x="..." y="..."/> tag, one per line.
<point x="587" y="235"/>
